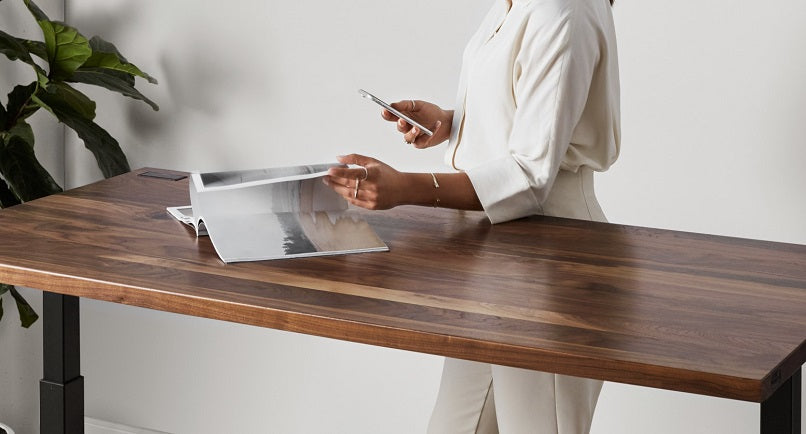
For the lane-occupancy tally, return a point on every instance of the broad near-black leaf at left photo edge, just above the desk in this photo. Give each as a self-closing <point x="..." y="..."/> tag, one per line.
<point x="27" y="178"/>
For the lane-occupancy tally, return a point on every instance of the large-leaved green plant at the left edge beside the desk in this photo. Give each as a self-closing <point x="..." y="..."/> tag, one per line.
<point x="64" y="58"/>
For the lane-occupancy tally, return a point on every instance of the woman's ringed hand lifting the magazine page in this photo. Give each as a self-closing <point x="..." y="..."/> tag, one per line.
<point x="378" y="187"/>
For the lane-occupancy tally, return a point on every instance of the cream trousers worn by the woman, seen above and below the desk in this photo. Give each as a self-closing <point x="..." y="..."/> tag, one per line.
<point x="480" y="398"/>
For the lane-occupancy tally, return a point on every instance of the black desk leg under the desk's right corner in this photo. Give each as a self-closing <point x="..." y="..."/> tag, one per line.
<point x="780" y="413"/>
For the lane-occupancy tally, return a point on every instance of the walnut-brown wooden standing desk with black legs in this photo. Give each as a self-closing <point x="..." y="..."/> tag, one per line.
<point x="695" y="313"/>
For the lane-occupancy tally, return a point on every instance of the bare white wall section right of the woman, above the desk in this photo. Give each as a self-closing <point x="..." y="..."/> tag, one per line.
<point x="713" y="106"/>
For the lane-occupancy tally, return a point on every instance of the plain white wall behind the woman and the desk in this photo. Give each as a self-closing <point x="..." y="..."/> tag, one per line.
<point x="712" y="100"/>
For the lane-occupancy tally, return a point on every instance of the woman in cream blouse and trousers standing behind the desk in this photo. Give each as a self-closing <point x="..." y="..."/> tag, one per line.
<point x="537" y="112"/>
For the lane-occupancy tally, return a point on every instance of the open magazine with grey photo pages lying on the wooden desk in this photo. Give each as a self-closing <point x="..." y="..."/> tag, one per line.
<point x="284" y="212"/>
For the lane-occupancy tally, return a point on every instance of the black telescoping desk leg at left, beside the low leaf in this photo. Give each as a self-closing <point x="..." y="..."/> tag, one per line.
<point x="61" y="391"/>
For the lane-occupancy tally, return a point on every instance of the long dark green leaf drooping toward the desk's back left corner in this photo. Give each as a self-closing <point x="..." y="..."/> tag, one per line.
<point x="104" y="147"/>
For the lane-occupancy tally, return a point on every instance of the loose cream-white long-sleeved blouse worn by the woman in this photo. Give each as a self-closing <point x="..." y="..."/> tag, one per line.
<point x="538" y="93"/>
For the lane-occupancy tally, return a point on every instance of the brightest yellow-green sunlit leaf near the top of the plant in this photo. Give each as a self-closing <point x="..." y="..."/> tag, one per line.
<point x="67" y="48"/>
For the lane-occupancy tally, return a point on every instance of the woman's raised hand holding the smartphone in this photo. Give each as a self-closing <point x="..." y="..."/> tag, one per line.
<point x="425" y="113"/>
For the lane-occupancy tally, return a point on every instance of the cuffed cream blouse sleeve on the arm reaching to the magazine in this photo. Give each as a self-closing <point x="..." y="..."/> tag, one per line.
<point x="551" y="78"/>
